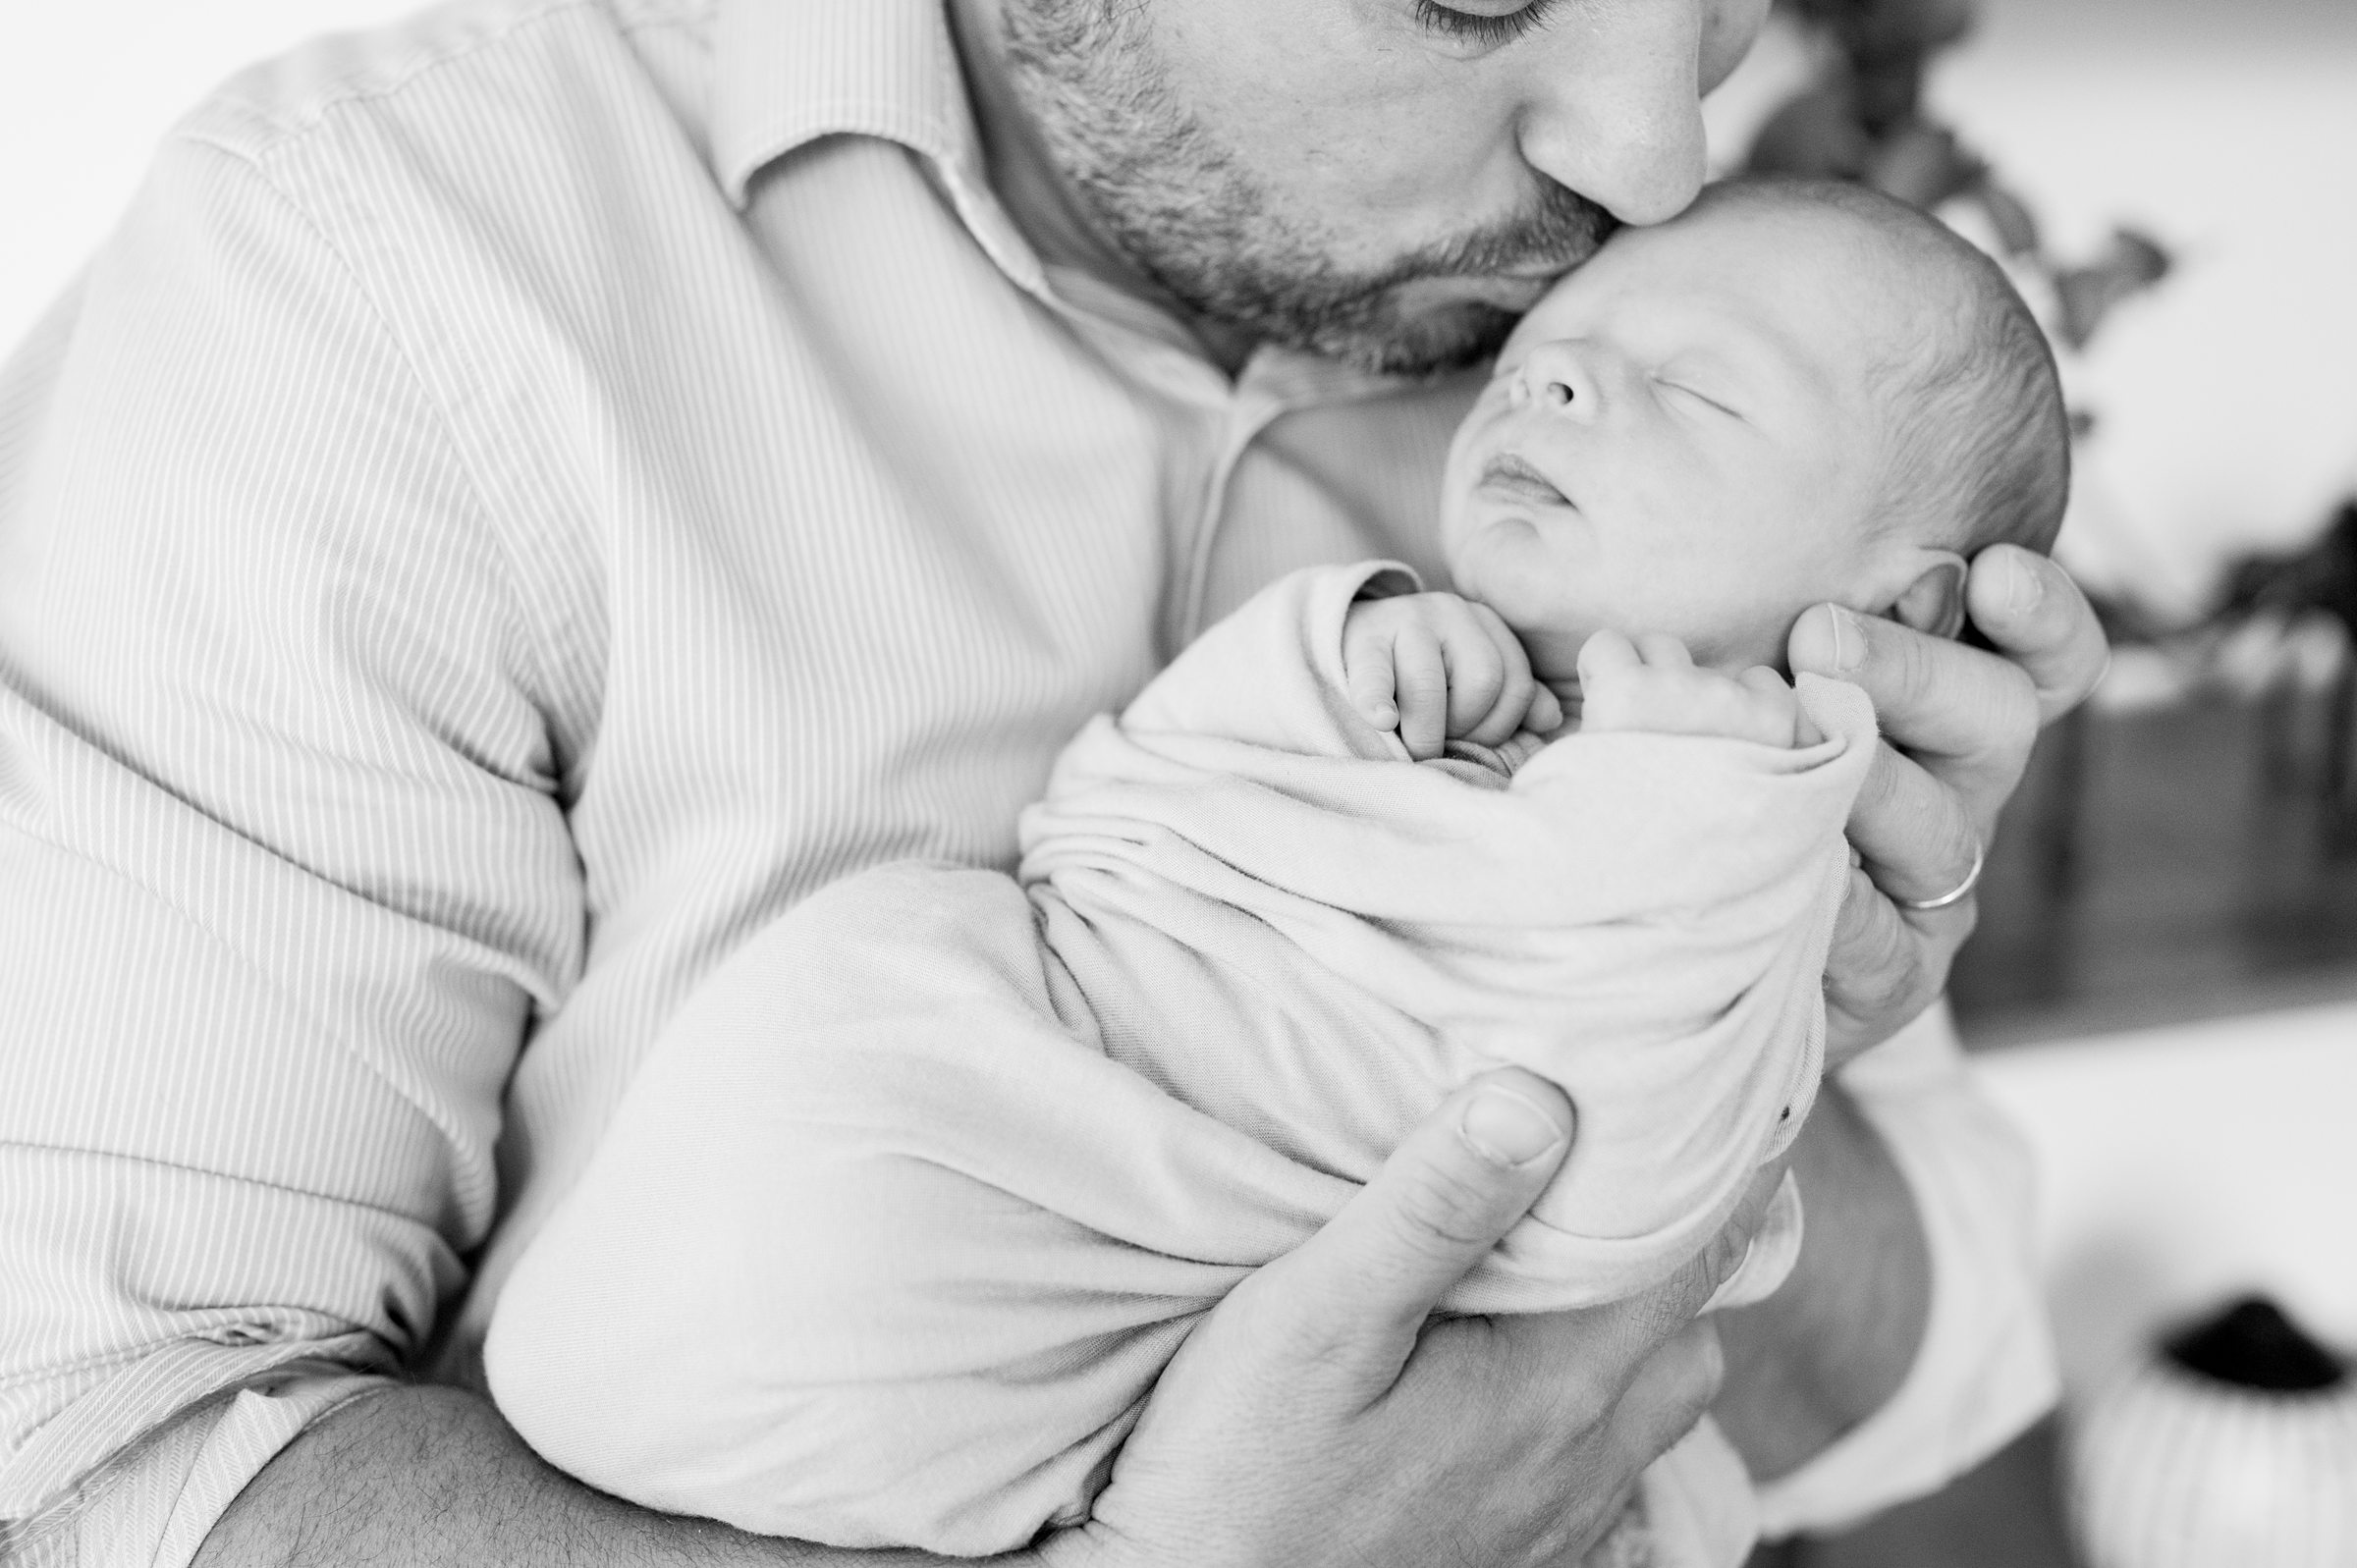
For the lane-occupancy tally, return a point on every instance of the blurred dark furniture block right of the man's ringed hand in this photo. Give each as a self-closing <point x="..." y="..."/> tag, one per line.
<point x="2163" y="864"/>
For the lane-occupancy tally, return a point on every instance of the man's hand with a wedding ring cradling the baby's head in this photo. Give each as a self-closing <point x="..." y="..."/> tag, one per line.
<point x="1960" y="727"/>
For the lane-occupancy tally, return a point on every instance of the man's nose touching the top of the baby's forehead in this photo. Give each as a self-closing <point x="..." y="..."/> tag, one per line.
<point x="1616" y="107"/>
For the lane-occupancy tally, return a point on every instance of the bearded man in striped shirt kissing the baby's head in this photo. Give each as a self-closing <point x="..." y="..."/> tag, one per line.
<point x="534" y="492"/>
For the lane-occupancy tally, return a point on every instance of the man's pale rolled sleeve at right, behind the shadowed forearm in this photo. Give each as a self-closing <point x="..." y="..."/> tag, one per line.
<point x="1986" y="1366"/>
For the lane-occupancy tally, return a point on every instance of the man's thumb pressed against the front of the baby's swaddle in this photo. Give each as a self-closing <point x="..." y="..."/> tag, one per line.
<point x="1437" y="1208"/>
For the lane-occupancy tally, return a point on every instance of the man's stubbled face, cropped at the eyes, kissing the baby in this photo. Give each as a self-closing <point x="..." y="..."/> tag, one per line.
<point x="1378" y="180"/>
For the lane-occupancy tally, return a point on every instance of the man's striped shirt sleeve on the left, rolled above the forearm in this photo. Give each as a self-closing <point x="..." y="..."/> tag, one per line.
<point x="284" y="869"/>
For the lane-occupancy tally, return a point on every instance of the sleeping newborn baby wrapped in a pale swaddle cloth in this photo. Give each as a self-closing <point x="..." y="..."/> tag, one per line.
<point x="911" y="1206"/>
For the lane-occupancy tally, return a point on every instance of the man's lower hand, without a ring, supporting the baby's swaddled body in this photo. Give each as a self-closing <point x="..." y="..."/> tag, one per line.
<point x="1321" y="1418"/>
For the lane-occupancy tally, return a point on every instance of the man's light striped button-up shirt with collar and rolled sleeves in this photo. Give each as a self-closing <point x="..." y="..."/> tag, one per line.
<point x="522" y="499"/>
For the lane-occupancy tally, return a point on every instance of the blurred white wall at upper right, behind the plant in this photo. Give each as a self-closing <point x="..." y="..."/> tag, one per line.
<point x="2229" y="129"/>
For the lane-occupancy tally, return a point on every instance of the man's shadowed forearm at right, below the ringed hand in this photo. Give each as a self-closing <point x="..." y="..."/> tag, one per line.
<point x="1840" y="1338"/>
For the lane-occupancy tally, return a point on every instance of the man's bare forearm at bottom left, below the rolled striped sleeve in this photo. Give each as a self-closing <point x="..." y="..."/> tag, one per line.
<point x="428" y="1477"/>
